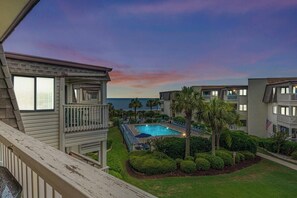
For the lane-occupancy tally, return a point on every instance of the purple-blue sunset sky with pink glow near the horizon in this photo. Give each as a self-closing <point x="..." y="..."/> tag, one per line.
<point x="161" y="45"/>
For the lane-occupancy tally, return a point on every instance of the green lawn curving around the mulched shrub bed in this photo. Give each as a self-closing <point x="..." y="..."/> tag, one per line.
<point x="265" y="179"/>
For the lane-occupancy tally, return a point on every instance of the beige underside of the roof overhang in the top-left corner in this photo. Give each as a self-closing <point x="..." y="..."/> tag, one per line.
<point x="11" y="14"/>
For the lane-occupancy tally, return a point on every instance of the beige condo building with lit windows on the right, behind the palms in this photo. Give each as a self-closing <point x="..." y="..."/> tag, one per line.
<point x="265" y="105"/>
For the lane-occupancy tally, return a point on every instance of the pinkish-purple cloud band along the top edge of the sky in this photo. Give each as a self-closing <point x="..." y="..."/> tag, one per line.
<point x="214" y="6"/>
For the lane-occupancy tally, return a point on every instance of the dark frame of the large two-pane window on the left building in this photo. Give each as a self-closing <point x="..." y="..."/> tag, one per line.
<point x="35" y="93"/>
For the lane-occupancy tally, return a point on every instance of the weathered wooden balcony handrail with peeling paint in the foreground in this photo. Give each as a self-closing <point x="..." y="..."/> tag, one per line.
<point x="44" y="171"/>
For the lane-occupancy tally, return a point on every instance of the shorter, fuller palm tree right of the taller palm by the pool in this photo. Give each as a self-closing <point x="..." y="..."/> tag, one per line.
<point x="218" y="115"/>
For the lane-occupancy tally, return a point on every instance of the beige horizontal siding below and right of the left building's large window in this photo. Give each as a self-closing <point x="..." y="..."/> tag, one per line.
<point x="44" y="126"/>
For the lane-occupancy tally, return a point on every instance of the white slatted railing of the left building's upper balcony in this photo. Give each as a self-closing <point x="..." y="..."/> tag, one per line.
<point x="85" y="117"/>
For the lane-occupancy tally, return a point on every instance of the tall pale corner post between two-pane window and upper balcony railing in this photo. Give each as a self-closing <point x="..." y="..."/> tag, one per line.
<point x="62" y="120"/>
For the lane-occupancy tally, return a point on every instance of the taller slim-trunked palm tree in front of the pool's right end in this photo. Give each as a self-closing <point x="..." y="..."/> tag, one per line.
<point x="187" y="101"/>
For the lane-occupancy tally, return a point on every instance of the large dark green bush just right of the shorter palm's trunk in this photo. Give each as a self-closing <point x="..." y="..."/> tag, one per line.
<point x="239" y="141"/>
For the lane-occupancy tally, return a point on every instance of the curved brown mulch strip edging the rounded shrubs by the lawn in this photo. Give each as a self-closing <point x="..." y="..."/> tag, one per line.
<point x="178" y="173"/>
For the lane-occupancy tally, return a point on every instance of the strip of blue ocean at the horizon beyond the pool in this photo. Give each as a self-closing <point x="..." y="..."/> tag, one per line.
<point x="123" y="103"/>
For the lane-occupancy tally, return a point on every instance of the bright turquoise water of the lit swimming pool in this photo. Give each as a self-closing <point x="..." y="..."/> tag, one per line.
<point x="156" y="130"/>
